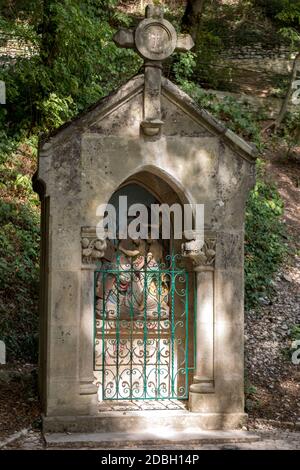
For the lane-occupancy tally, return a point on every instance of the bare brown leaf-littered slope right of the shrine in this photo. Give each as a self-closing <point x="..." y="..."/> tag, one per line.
<point x="276" y="380"/>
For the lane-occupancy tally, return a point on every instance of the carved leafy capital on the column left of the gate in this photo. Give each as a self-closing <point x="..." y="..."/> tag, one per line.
<point x="92" y="248"/>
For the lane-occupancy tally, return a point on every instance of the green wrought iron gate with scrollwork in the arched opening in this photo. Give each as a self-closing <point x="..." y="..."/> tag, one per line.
<point x="142" y="329"/>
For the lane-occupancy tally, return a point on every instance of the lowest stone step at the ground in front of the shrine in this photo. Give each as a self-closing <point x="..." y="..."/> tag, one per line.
<point x="120" y="440"/>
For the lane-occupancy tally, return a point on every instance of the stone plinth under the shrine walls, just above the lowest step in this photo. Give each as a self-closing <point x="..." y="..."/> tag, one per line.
<point x="144" y="421"/>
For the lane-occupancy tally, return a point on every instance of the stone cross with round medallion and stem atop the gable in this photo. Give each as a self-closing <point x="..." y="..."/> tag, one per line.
<point x="154" y="39"/>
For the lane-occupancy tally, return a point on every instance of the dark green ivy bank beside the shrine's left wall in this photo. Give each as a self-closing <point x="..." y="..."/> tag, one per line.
<point x="19" y="252"/>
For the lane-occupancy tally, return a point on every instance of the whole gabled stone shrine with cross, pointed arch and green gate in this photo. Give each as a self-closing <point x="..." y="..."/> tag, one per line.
<point x="143" y="334"/>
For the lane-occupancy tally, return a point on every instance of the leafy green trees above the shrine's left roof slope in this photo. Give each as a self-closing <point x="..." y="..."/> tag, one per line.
<point x="70" y="68"/>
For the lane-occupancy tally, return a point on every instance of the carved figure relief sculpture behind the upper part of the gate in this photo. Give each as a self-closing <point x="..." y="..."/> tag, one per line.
<point x="131" y="282"/>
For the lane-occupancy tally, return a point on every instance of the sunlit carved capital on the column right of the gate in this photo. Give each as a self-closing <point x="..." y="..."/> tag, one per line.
<point x="201" y="255"/>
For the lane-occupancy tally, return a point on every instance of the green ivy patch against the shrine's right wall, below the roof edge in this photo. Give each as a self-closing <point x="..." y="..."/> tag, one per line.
<point x="265" y="245"/>
